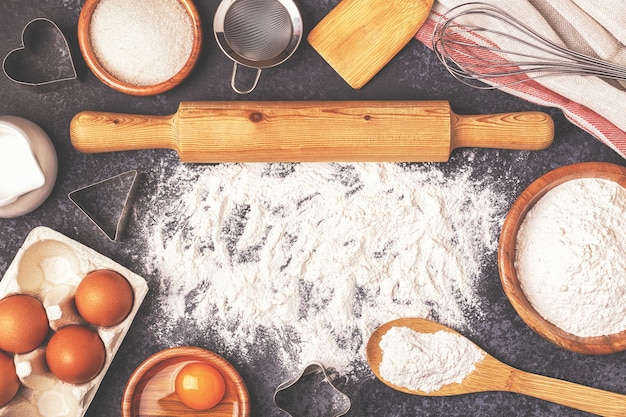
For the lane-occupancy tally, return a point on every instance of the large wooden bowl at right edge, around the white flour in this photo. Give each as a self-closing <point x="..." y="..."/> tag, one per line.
<point x="506" y="258"/>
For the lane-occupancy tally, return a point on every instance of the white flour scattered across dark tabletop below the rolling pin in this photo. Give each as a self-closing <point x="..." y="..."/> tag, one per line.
<point x="316" y="256"/>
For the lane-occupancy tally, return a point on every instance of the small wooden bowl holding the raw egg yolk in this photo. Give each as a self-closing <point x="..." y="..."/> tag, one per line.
<point x="150" y="389"/>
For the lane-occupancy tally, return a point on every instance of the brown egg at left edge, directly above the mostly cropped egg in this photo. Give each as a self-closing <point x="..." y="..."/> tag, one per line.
<point x="23" y="322"/>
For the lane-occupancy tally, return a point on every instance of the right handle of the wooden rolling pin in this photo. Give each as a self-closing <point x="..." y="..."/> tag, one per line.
<point x="517" y="130"/>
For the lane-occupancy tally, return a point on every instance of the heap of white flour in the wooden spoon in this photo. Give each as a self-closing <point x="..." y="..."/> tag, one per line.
<point x="426" y="361"/>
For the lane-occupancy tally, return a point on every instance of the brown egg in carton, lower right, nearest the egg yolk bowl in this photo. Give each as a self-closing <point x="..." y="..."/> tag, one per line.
<point x="75" y="354"/>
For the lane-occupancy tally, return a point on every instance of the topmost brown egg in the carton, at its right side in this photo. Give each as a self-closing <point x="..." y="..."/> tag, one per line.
<point x="104" y="298"/>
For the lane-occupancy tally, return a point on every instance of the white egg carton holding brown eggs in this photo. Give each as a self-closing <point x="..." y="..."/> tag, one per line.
<point x="49" y="266"/>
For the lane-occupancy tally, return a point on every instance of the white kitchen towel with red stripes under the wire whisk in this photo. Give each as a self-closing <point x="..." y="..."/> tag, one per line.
<point x="594" y="27"/>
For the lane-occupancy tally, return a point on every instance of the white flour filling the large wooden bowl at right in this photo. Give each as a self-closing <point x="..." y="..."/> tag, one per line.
<point x="571" y="257"/>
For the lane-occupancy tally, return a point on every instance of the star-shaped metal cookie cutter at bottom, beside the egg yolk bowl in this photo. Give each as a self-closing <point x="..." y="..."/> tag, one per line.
<point x="321" y="389"/>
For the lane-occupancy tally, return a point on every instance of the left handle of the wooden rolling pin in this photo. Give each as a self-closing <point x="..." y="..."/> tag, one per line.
<point x="94" y="132"/>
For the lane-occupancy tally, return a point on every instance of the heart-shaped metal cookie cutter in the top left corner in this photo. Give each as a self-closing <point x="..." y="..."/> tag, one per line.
<point x="44" y="60"/>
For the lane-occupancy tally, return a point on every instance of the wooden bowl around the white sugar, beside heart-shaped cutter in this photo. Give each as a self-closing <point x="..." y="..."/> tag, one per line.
<point x="84" y="43"/>
